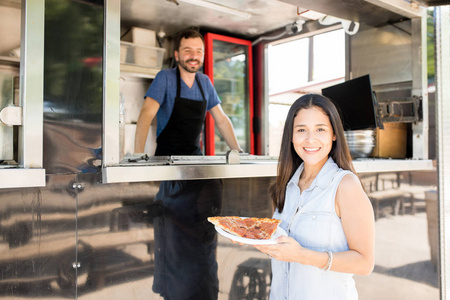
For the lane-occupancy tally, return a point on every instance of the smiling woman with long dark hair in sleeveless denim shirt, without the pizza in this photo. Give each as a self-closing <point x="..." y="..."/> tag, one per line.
<point x="323" y="207"/>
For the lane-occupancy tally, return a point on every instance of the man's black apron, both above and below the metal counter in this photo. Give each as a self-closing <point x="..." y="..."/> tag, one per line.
<point x="185" y="242"/>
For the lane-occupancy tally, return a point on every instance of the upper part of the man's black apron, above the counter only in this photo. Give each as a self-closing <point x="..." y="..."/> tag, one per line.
<point x="181" y="136"/>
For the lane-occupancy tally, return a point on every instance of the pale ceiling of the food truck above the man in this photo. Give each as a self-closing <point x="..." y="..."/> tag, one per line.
<point x="250" y="18"/>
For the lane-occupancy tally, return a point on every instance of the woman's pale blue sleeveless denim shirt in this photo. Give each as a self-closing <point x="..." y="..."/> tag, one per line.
<point x="310" y="218"/>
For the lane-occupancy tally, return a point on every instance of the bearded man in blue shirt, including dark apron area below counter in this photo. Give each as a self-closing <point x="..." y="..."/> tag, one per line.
<point x="185" y="242"/>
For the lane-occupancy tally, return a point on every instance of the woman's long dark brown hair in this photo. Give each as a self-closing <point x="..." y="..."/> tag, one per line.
<point x="289" y="161"/>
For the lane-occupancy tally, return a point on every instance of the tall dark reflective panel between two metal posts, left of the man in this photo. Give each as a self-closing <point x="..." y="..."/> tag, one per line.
<point x="73" y="86"/>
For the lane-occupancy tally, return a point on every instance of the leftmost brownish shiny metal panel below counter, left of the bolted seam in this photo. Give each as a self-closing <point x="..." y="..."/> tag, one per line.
<point x="38" y="235"/>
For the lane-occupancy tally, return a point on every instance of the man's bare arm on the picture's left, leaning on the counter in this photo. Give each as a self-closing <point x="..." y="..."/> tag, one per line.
<point x="148" y="112"/>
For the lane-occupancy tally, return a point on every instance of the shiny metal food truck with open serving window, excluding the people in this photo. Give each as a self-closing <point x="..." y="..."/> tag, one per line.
<point x="80" y="215"/>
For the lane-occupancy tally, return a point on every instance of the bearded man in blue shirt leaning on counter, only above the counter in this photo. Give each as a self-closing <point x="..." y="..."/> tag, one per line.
<point x="180" y="98"/>
